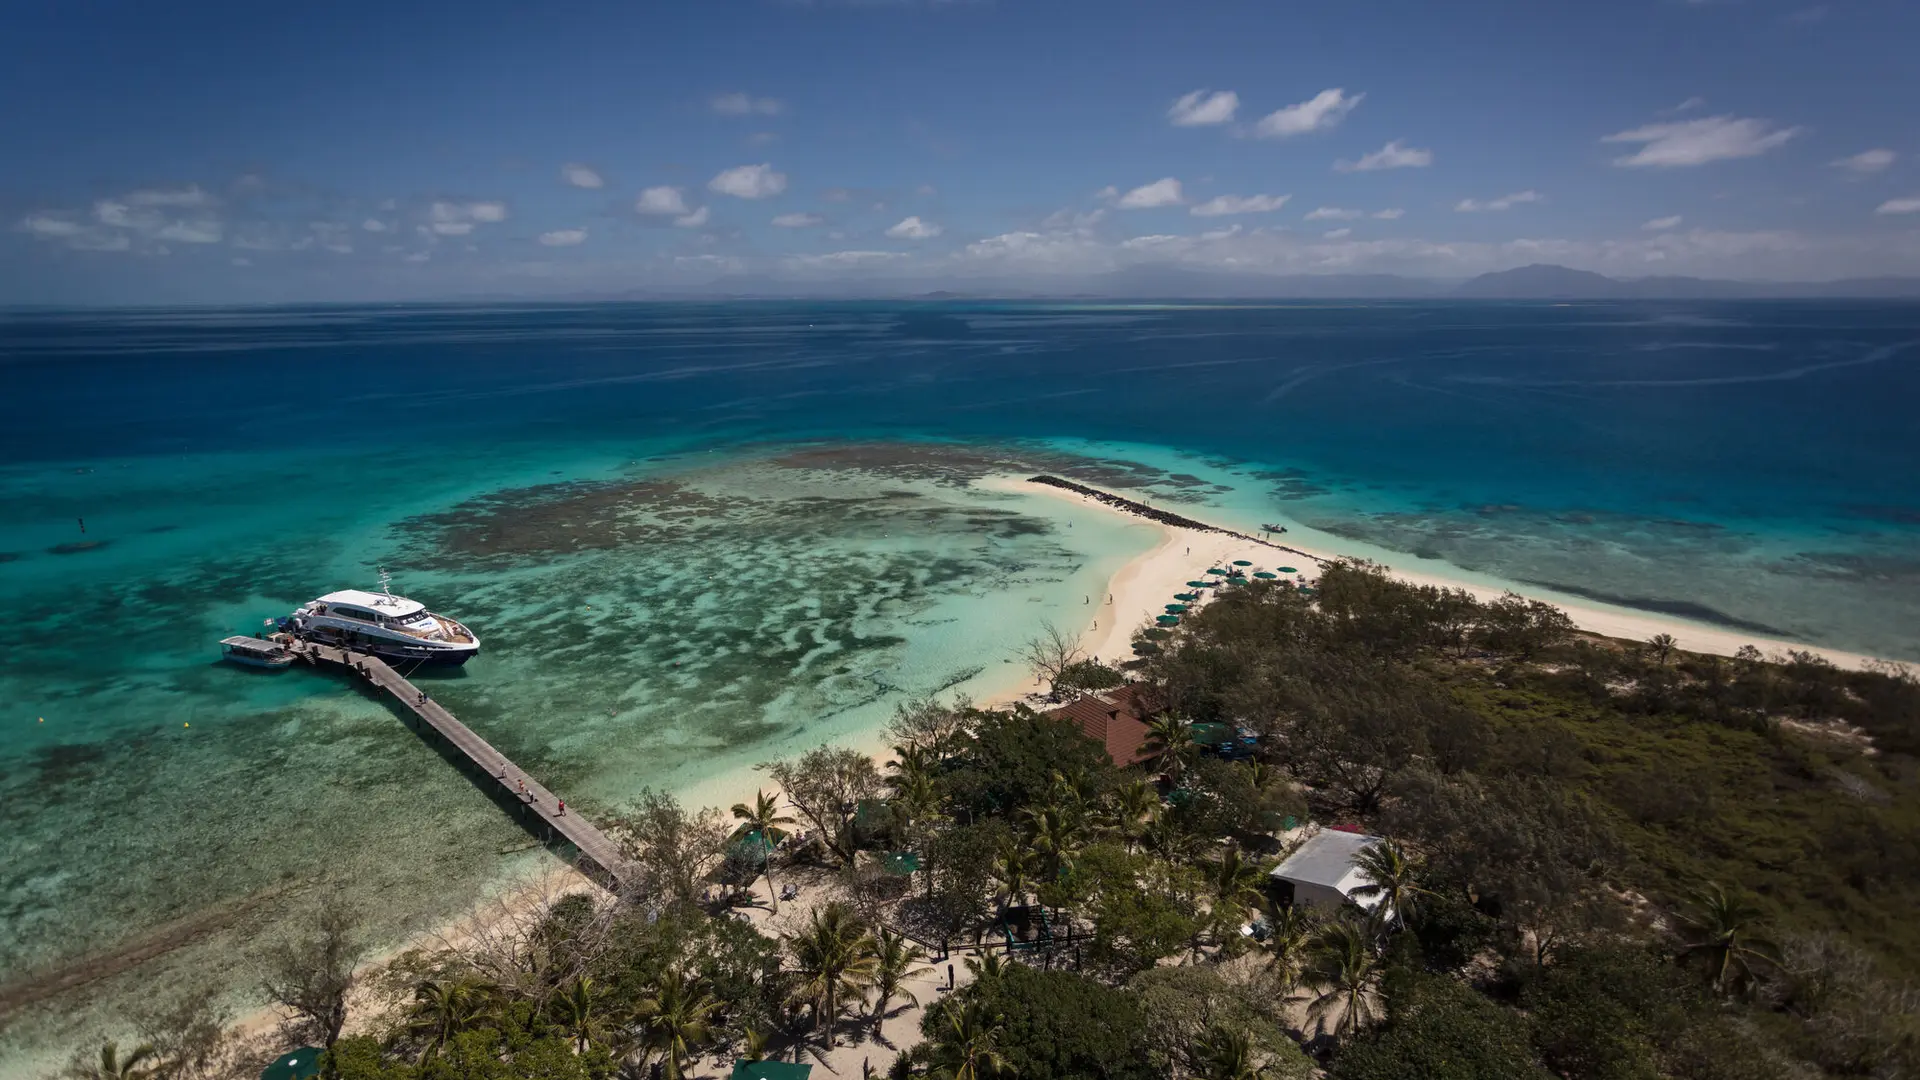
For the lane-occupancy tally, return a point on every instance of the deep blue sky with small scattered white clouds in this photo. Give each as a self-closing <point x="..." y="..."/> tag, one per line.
<point x="206" y="153"/>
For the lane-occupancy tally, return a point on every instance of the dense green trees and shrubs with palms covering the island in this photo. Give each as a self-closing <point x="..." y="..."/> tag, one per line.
<point x="1600" y="862"/>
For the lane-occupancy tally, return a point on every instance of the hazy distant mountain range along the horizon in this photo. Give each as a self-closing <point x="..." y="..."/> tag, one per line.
<point x="1182" y="283"/>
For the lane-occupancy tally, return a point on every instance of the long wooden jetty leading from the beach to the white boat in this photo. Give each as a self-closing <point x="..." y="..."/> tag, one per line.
<point x="600" y="856"/>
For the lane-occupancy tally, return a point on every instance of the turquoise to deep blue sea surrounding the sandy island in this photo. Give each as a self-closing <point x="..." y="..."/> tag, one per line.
<point x="702" y="537"/>
